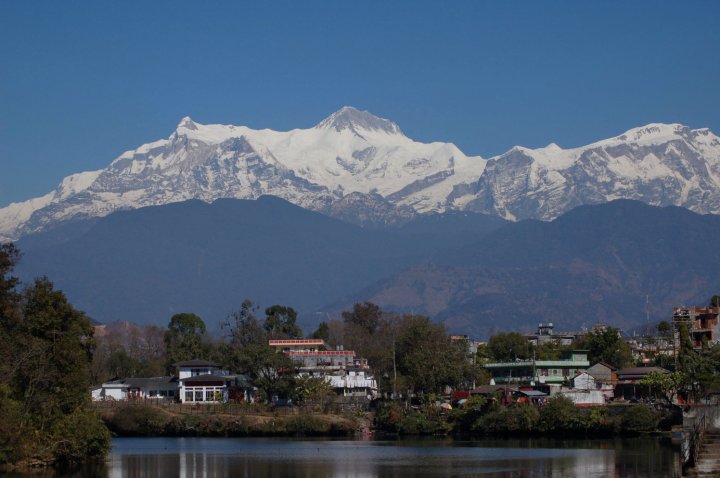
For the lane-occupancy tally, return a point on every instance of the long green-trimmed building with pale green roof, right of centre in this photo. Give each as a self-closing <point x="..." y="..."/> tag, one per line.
<point x="532" y="372"/>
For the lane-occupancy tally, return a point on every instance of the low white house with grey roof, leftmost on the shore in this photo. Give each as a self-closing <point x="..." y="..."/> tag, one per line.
<point x="137" y="388"/>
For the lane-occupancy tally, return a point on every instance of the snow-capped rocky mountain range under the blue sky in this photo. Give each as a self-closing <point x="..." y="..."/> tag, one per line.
<point x="360" y="167"/>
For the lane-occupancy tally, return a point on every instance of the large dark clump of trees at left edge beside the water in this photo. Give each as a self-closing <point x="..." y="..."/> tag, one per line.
<point x="45" y="354"/>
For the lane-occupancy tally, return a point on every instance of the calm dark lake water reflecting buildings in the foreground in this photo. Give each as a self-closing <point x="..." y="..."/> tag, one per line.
<point x="247" y="457"/>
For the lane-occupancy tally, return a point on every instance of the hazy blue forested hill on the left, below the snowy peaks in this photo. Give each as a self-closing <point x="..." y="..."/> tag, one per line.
<point x="145" y="265"/>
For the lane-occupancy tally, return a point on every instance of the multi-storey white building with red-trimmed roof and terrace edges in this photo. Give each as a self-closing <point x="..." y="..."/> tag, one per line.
<point x="348" y="375"/>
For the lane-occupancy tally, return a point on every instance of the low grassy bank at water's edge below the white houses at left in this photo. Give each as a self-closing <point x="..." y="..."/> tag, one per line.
<point x="150" y="420"/>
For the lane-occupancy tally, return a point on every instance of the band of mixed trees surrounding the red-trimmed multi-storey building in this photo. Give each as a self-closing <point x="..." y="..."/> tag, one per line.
<point x="407" y="353"/>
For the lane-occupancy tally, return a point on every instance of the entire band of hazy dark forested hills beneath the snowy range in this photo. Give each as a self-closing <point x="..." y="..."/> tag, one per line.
<point x="476" y="273"/>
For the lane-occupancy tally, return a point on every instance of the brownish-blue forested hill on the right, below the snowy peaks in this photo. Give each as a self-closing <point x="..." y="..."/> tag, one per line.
<point x="593" y="264"/>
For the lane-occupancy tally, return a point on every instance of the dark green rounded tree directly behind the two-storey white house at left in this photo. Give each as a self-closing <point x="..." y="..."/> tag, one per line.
<point x="184" y="339"/>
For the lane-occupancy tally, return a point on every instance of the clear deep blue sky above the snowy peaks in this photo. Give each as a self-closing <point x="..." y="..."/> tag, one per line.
<point x="81" y="82"/>
